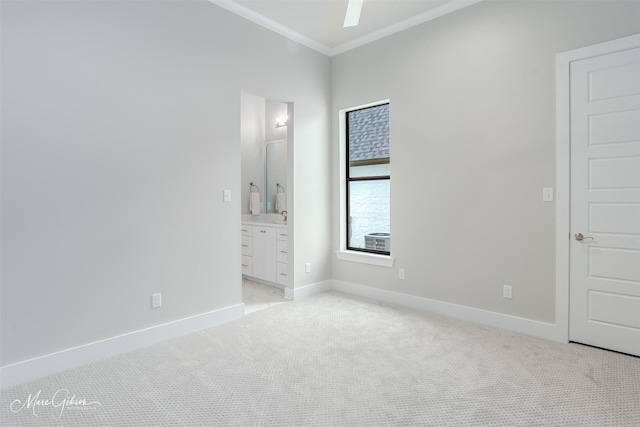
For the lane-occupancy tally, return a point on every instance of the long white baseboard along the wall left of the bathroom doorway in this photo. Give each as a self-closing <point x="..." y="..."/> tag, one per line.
<point x="72" y="357"/>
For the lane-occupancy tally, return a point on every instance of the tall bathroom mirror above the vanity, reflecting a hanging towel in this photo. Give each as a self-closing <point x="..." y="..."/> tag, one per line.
<point x="275" y="171"/>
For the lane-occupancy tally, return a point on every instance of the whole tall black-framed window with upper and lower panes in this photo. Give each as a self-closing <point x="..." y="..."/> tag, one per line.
<point x="368" y="180"/>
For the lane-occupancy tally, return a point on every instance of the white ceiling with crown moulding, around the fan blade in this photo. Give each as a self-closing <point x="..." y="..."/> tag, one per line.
<point x="318" y="23"/>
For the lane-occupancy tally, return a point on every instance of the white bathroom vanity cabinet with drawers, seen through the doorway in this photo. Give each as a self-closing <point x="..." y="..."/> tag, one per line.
<point x="264" y="250"/>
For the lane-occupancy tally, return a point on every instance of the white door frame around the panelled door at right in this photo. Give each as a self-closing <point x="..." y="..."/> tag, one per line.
<point x="563" y="164"/>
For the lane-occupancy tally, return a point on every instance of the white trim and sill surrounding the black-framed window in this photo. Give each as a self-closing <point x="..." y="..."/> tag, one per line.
<point x="343" y="254"/>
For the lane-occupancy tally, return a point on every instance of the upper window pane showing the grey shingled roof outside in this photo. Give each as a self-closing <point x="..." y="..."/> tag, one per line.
<point x="368" y="138"/>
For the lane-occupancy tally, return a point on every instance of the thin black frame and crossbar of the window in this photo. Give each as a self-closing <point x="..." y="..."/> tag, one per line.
<point x="350" y="179"/>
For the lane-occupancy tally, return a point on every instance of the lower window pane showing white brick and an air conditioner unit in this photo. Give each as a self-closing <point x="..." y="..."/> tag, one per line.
<point x="369" y="215"/>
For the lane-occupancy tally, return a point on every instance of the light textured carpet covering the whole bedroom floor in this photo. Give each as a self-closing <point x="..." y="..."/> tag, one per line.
<point x="335" y="359"/>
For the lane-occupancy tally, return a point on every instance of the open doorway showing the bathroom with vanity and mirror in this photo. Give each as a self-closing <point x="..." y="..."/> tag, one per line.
<point x="266" y="155"/>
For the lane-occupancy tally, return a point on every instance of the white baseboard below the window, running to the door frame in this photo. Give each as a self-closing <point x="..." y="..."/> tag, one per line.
<point x="512" y="323"/>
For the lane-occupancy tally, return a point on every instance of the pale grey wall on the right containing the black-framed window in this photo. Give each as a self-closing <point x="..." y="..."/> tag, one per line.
<point x="472" y="121"/>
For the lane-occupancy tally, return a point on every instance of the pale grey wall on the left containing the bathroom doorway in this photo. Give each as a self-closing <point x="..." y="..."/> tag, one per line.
<point x="120" y="129"/>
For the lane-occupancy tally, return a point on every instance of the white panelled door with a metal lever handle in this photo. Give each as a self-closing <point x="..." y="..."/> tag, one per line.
<point x="605" y="202"/>
